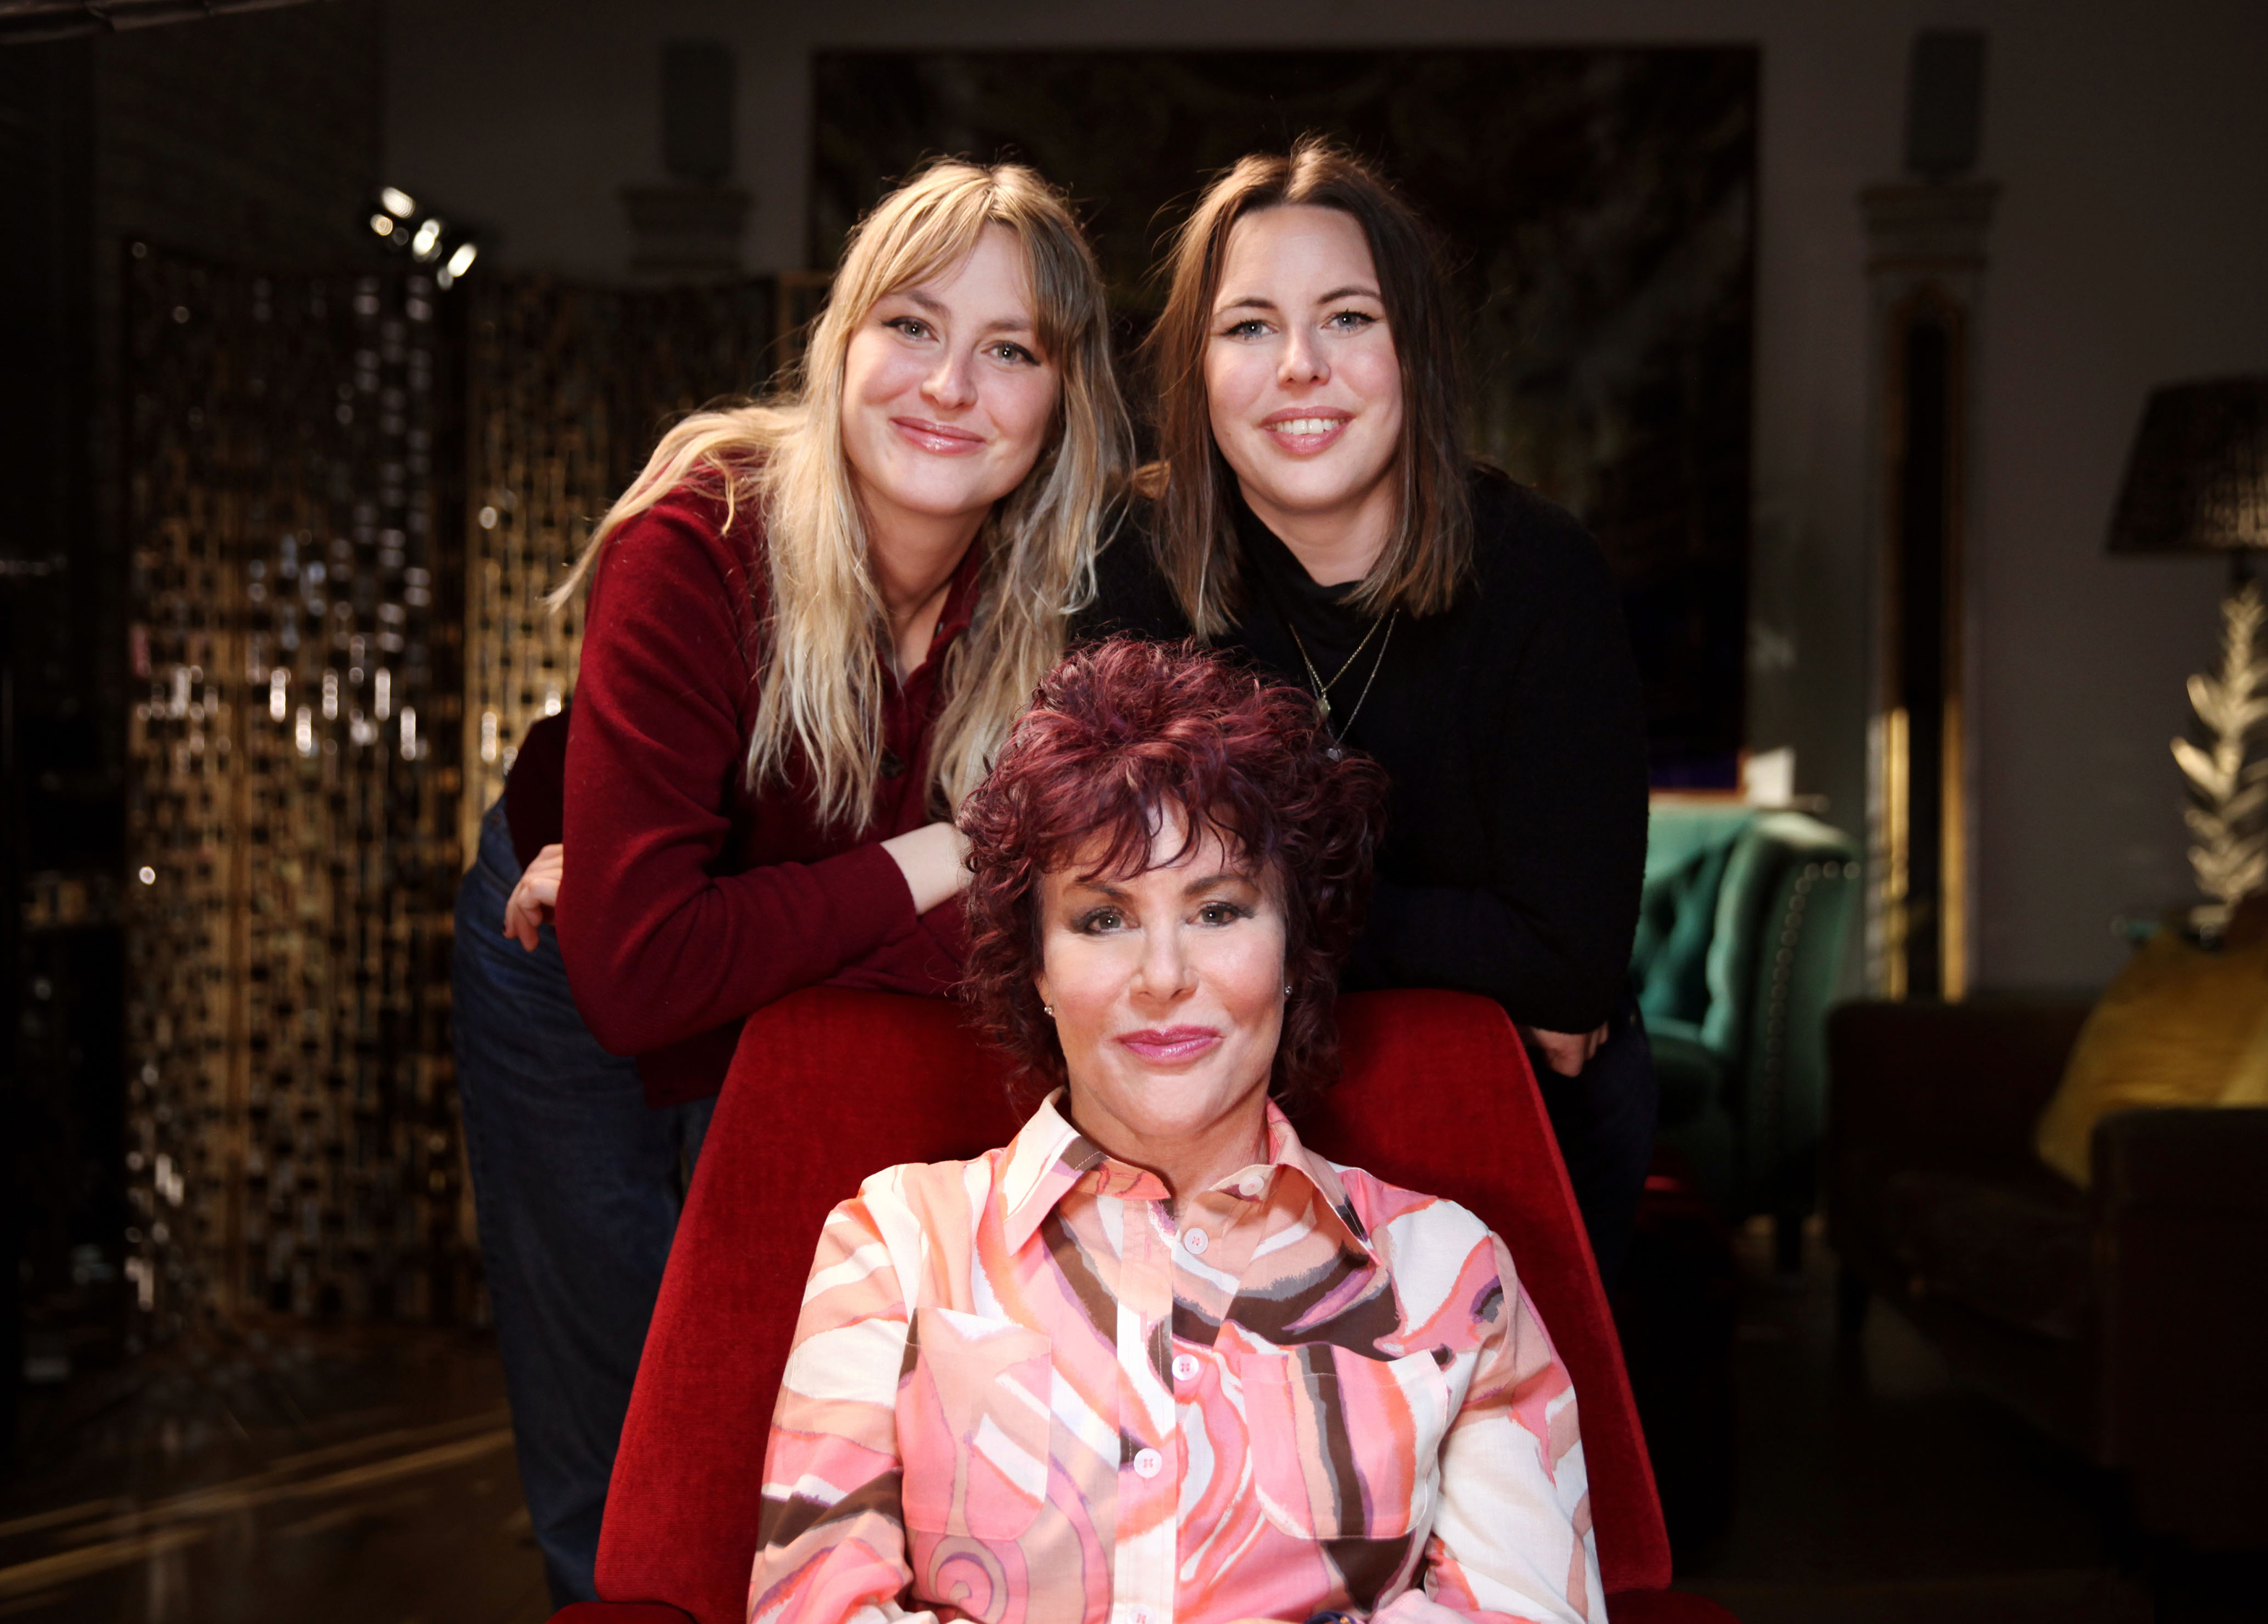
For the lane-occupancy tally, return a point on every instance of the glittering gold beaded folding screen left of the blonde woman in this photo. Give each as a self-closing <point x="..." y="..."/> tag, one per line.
<point x="341" y="641"/>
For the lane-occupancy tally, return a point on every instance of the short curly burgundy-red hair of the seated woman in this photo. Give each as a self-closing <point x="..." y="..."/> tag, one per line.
<point x="1126" y="738"/>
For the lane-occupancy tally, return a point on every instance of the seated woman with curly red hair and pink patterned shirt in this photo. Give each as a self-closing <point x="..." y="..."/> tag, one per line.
<point x="1156" y="1362"/>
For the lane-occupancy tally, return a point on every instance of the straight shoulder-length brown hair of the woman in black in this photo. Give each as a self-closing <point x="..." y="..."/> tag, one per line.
<point x="1430" y="550"/>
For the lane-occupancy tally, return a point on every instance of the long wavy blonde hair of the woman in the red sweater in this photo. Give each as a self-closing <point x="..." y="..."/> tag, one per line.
<point x="824" y="627"/>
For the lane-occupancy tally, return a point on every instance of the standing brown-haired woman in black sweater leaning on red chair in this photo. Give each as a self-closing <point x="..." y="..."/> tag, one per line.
<point x="1314" y="507"/>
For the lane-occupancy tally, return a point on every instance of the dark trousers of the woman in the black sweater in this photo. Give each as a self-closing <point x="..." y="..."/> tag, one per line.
<point x="1605" y="1124"/>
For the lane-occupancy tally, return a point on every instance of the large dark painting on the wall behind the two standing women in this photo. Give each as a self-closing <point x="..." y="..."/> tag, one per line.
<point x="1600" y="208"/>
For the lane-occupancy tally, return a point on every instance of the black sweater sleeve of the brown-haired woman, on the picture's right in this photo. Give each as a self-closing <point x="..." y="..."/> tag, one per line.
<point x="1548" y="924"/>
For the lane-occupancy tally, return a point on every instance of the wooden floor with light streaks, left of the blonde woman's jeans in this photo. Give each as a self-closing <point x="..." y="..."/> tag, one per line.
<point x="305" y="1478"/>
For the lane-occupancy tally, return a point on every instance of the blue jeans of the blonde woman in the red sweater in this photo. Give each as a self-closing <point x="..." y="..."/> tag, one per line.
<point x="577" y="1187"/>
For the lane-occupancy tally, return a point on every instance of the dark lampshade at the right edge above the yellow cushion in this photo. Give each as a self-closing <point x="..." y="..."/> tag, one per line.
<point x="2199" y="475"/>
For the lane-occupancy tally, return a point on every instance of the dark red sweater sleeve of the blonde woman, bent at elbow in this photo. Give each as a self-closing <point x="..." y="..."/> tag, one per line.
<point x="659" y="947"/>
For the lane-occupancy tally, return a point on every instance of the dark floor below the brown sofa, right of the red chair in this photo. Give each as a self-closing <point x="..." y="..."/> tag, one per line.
<point x="1875" y="1489"/>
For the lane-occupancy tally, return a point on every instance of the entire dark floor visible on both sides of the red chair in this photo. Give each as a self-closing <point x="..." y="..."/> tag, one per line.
<point x="371" y="1482"/>
